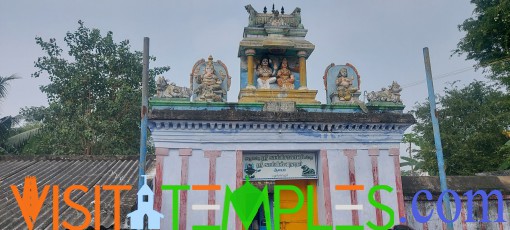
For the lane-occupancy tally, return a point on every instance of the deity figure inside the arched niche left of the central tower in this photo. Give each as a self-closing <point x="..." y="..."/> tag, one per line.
<point x="209" y="88"/>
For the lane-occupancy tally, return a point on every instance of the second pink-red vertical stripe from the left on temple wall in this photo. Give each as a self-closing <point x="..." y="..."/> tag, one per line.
<point x="185" y="154"/>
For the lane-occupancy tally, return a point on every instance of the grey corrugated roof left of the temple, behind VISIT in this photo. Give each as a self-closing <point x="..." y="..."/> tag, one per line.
<point x="65" y="171"/>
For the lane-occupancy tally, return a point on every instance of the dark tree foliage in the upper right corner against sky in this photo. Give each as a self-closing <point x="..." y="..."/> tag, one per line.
<point x="487" y="38"/>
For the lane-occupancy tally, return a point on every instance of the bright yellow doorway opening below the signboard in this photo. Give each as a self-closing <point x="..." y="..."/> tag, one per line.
<point x="288" y="200"/>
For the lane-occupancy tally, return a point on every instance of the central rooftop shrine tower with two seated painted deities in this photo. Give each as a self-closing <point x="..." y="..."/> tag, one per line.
<point x="273" y="37"/>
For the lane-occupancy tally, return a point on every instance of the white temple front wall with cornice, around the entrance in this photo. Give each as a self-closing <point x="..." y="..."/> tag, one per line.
<point x="228" y="143"/>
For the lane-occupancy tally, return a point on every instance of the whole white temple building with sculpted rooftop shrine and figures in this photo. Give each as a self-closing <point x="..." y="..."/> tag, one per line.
<point x="277" y="134"/>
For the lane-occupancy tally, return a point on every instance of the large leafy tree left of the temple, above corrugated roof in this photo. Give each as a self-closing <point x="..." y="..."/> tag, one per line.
<point x="94" y="95"/>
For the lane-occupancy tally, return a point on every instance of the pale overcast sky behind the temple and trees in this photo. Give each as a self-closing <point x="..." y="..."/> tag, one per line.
<point x="383" y="39"/>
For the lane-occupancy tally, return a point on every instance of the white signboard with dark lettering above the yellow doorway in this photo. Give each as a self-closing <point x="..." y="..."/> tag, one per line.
<point x="280" y="166"/>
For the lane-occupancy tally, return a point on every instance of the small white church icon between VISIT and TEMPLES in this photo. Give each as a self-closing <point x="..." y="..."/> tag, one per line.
<point x="145" y="208"/>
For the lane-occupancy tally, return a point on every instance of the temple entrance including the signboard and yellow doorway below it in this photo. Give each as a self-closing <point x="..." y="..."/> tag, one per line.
<point x="298" y="169"/>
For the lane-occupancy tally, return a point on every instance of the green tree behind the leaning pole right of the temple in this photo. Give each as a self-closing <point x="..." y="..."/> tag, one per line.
<point x="471" y="121"/>
